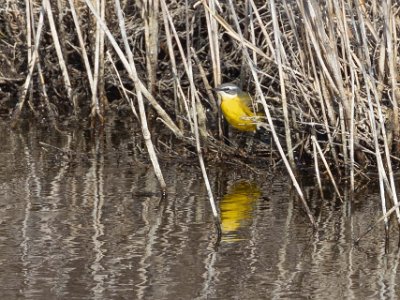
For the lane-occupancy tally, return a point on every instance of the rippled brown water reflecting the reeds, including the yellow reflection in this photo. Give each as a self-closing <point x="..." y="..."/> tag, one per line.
<point x="81" y="217"/>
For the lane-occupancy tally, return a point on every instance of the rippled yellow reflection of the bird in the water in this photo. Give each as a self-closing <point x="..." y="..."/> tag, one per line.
<point x="236" y="208"/>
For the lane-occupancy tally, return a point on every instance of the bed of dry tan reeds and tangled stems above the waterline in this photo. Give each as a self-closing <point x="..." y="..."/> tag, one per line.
<point x="324" y="73"/>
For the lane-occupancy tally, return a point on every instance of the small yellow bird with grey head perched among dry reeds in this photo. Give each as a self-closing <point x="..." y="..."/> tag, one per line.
<point x="236" y="107"/>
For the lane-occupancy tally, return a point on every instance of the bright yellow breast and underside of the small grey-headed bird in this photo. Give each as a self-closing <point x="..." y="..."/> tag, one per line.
<point x="238" y="114"/>
